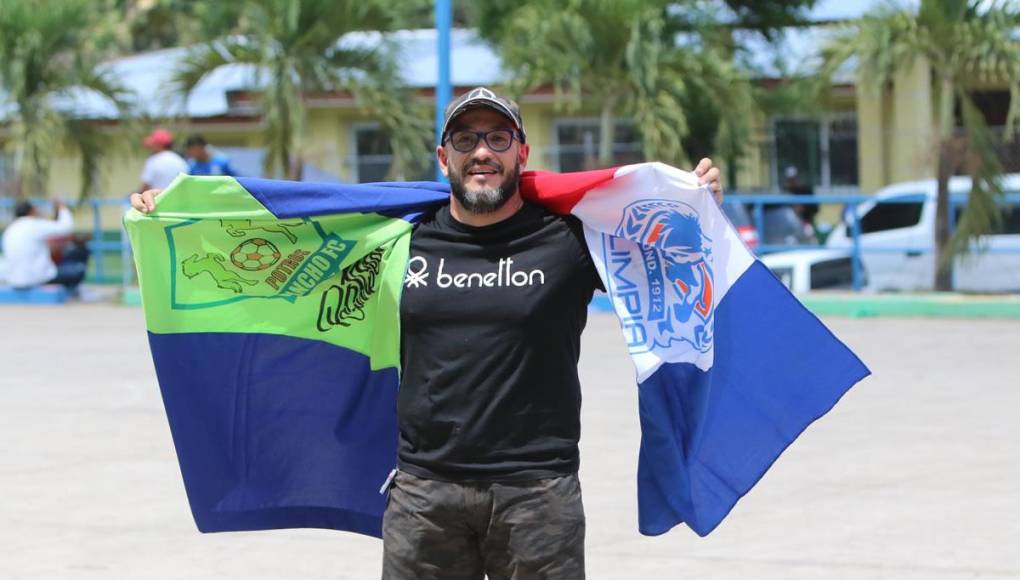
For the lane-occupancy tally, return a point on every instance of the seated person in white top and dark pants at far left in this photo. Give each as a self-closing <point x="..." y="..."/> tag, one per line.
<point x="26" y="247"/>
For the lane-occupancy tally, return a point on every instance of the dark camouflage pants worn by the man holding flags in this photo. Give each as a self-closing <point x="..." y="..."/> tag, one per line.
<point x="439" y="531"/>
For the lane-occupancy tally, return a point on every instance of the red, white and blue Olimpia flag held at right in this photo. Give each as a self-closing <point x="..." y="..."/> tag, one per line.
<point x="731" y="367"/>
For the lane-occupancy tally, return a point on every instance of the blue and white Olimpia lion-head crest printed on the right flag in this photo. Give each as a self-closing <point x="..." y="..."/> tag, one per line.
<point x="659" y="266"/>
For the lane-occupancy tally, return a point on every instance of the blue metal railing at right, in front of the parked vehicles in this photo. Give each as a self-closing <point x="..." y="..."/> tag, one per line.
<point x="758" y="202"/>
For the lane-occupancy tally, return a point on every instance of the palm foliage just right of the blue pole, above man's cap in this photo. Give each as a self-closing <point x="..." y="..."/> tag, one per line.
<point x="619" y="56"/>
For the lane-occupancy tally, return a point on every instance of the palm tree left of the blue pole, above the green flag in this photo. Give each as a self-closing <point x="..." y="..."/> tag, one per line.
<point x="295" y="48"/>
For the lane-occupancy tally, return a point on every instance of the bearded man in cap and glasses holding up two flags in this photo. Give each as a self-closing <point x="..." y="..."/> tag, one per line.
<point x="489" y="403"/>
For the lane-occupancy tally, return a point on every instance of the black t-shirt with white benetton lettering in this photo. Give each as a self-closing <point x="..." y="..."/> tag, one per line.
<point x="491" y="334"/>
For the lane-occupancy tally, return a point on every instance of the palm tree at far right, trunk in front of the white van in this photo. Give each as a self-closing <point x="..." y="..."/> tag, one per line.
<point x="966" y="43"/>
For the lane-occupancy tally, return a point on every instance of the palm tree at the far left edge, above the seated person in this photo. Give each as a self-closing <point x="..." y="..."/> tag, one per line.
<point x="49" y="55"/>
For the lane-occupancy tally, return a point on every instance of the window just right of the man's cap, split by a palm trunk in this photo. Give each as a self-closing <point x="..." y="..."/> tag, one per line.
<point x="577" y="145"/>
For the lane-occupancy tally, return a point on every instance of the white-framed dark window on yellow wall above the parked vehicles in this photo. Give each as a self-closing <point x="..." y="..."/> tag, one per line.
<point x="823" y="150"/>
